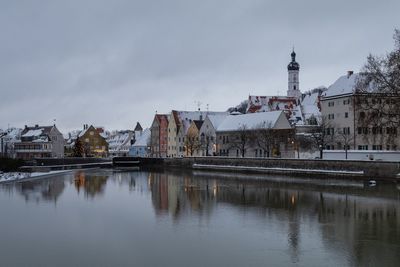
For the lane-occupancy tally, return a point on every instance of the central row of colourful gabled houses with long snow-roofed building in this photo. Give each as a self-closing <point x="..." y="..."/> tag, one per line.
<point x="197" y="133"/>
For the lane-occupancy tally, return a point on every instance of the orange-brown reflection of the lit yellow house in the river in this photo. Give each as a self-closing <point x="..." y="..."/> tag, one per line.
<point x="91" y="184"/>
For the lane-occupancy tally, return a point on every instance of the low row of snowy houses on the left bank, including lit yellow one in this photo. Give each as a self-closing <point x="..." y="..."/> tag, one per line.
<point x="48" y="142"/>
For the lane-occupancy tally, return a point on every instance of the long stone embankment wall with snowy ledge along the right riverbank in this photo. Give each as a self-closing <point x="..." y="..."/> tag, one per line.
<point x="384" y="170"/>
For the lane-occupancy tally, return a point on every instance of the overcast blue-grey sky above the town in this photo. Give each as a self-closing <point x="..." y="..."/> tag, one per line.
<point x="112" y="63"/>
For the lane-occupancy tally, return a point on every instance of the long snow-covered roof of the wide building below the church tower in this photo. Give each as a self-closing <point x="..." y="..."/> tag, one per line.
<point x="251" y="121"/>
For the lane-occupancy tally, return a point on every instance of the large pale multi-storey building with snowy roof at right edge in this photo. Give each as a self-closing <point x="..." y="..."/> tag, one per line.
<point x="359" y="121"/>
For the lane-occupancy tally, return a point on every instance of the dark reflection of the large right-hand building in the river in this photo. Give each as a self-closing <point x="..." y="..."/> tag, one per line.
<point x="360" y="225"/>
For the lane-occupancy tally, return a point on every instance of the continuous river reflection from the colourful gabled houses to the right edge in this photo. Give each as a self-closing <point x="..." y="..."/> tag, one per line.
<point x="345" y="222"/>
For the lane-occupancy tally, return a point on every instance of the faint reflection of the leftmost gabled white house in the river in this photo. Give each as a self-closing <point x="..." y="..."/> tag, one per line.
<point x="46" y="190"/>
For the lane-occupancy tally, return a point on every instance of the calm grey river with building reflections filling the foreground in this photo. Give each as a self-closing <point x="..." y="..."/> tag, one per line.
<point x="117" y="218"/>
